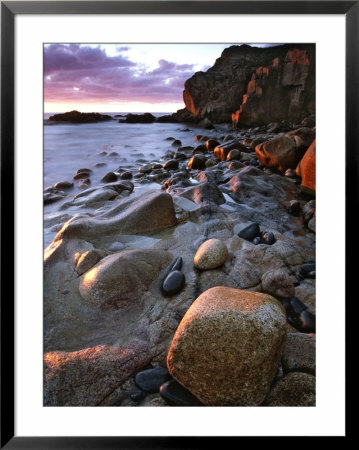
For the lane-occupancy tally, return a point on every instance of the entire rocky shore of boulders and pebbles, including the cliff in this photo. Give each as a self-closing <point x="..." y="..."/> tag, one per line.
<point x="189" y="279"/>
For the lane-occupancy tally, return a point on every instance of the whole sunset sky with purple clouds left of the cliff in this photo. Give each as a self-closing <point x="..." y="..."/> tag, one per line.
<point x="122" y="77"/>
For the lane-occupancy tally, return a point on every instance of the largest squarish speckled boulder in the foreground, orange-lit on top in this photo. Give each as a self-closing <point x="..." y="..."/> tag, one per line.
<point x="227" y="347"/>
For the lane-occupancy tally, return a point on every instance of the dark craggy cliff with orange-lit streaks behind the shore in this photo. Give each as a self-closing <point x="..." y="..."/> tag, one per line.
<point x="251" y="85"/>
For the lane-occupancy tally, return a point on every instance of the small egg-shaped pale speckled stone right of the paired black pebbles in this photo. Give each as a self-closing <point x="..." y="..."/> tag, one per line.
<point x="211" y="254"/>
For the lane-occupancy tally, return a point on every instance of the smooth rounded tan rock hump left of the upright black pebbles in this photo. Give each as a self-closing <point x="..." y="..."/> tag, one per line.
<point x="119" y="280"/>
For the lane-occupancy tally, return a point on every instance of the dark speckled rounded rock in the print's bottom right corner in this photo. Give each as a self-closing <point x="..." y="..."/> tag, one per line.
<point x="294" y="389"/>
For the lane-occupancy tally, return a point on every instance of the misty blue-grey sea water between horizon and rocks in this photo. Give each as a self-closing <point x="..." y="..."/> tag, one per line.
<point x="68" y="147"/>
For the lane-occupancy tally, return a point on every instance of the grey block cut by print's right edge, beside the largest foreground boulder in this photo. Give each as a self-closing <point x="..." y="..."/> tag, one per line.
<point x="299" y="353"/>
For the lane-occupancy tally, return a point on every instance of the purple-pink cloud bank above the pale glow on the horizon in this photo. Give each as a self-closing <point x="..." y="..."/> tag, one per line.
<point x="83" y="74"/>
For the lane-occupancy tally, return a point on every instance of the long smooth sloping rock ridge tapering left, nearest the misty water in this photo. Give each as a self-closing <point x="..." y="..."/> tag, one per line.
<point x="149" y="211"/>
